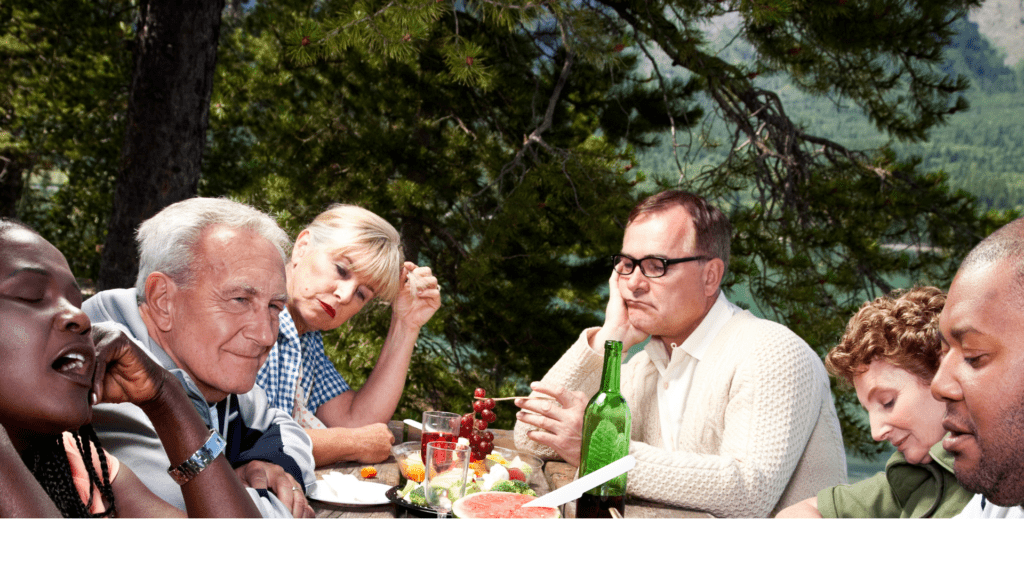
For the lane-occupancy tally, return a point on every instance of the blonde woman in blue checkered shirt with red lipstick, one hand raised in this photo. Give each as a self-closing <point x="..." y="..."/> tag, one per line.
<point x="347" y="258"/>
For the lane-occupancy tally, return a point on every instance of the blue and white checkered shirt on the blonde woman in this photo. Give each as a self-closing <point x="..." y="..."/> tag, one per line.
<point x="282" y="369"/>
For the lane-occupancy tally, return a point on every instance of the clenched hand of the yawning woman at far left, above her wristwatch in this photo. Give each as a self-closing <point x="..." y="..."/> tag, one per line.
<point x="124" y="373"/>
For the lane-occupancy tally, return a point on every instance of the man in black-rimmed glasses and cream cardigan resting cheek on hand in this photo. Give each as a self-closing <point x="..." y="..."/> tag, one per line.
<point x="733" y="415"/>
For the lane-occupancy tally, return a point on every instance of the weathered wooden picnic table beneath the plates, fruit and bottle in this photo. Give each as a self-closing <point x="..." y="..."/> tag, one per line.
<point x="557" y="474"/>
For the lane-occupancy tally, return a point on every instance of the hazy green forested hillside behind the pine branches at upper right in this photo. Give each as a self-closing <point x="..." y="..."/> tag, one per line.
<point x="982" y="150"/>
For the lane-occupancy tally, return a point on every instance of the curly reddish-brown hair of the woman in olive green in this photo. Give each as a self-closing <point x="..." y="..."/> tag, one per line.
<point x="902" y="328"/>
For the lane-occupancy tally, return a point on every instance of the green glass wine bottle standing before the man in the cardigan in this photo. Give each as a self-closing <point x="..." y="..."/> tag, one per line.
<point x="606" y="439"/>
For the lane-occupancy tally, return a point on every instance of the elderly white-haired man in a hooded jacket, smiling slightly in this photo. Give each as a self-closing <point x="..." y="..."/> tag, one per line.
<point x="210" y="286"/>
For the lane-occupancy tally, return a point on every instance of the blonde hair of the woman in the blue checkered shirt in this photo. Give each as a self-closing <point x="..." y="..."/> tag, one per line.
<point x="372" y="244"/>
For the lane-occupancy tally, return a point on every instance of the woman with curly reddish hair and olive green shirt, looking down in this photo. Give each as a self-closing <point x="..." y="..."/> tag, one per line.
<point x="889" y="353"/>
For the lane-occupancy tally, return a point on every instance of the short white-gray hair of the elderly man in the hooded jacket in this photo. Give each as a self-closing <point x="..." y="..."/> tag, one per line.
<point x="167" y="241"/>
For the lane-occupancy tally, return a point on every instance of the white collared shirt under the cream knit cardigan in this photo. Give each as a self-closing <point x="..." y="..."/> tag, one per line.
<point x="677" y="372"/>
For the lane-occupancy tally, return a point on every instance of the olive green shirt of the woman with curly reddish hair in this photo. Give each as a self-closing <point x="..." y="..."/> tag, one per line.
<point x="904" y="490"/>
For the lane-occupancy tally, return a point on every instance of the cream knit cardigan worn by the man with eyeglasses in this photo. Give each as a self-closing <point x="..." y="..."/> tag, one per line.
<point x="759" y="429"/>
